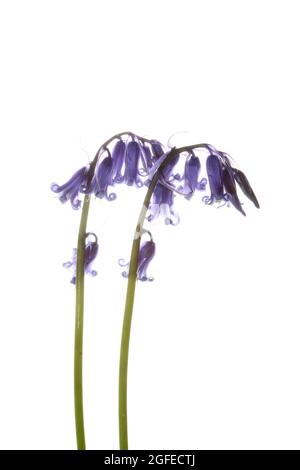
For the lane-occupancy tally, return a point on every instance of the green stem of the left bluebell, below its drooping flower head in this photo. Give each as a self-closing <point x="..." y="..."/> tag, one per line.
<point x="78" y="400"/>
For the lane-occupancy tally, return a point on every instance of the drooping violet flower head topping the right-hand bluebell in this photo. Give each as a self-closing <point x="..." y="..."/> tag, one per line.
<point x="186" y="180"/>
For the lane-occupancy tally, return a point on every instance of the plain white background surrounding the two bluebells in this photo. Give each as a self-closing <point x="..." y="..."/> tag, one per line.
<point x="214" y="358"/>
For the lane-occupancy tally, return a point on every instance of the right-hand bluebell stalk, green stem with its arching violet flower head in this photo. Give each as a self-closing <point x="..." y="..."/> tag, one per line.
<point x="161" y="190"/>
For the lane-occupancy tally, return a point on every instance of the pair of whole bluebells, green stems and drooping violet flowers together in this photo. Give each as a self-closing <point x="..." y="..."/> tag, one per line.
<point x="165" y="173"/>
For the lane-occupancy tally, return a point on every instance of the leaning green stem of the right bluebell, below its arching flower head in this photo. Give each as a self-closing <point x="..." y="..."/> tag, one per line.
<point x="123" y="434"/>
